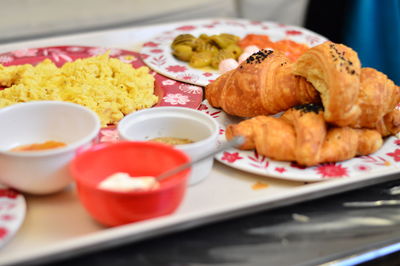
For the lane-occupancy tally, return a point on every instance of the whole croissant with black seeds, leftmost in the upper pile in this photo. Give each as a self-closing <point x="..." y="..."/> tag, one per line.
<point x="261" y="85"/>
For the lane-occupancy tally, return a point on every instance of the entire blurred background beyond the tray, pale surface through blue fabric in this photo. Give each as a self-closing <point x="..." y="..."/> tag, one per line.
<point x="371" y="27"/>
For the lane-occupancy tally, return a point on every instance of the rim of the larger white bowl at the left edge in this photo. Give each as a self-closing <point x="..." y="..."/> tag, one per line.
<point x="71" y="146"/>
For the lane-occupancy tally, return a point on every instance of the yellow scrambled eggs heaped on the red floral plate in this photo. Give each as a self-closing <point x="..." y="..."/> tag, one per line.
<point x="106" y="85"/>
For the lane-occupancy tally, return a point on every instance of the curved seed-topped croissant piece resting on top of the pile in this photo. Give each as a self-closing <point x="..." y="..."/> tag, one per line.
<point x="334" y="70"/>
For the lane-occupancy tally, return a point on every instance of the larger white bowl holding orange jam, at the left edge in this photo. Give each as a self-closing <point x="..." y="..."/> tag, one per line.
<point x="45" y="171"/>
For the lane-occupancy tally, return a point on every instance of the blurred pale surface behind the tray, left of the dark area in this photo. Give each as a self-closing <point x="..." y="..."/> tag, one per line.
<point x="26" y="19"/>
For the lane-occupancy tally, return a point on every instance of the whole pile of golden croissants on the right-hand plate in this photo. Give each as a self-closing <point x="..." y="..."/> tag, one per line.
<point x="334" y="109"/>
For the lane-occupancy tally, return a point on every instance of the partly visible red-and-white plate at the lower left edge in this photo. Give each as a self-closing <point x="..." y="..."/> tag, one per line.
<point x="12" y="213"/>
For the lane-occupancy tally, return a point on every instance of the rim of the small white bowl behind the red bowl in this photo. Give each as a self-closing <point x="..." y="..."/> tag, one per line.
<point x="126" y="120"/>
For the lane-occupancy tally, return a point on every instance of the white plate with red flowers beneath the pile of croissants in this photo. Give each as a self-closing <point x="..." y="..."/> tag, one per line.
<point x="384" y="160"/>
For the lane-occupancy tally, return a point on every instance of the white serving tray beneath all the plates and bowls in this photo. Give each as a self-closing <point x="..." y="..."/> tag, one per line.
<point x="57" y="225"/>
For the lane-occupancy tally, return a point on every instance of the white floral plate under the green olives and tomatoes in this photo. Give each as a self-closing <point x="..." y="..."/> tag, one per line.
<point x="157" y="52"/>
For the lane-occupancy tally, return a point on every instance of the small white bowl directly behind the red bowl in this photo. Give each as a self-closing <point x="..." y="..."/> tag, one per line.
<point x="178" y="122"/>
